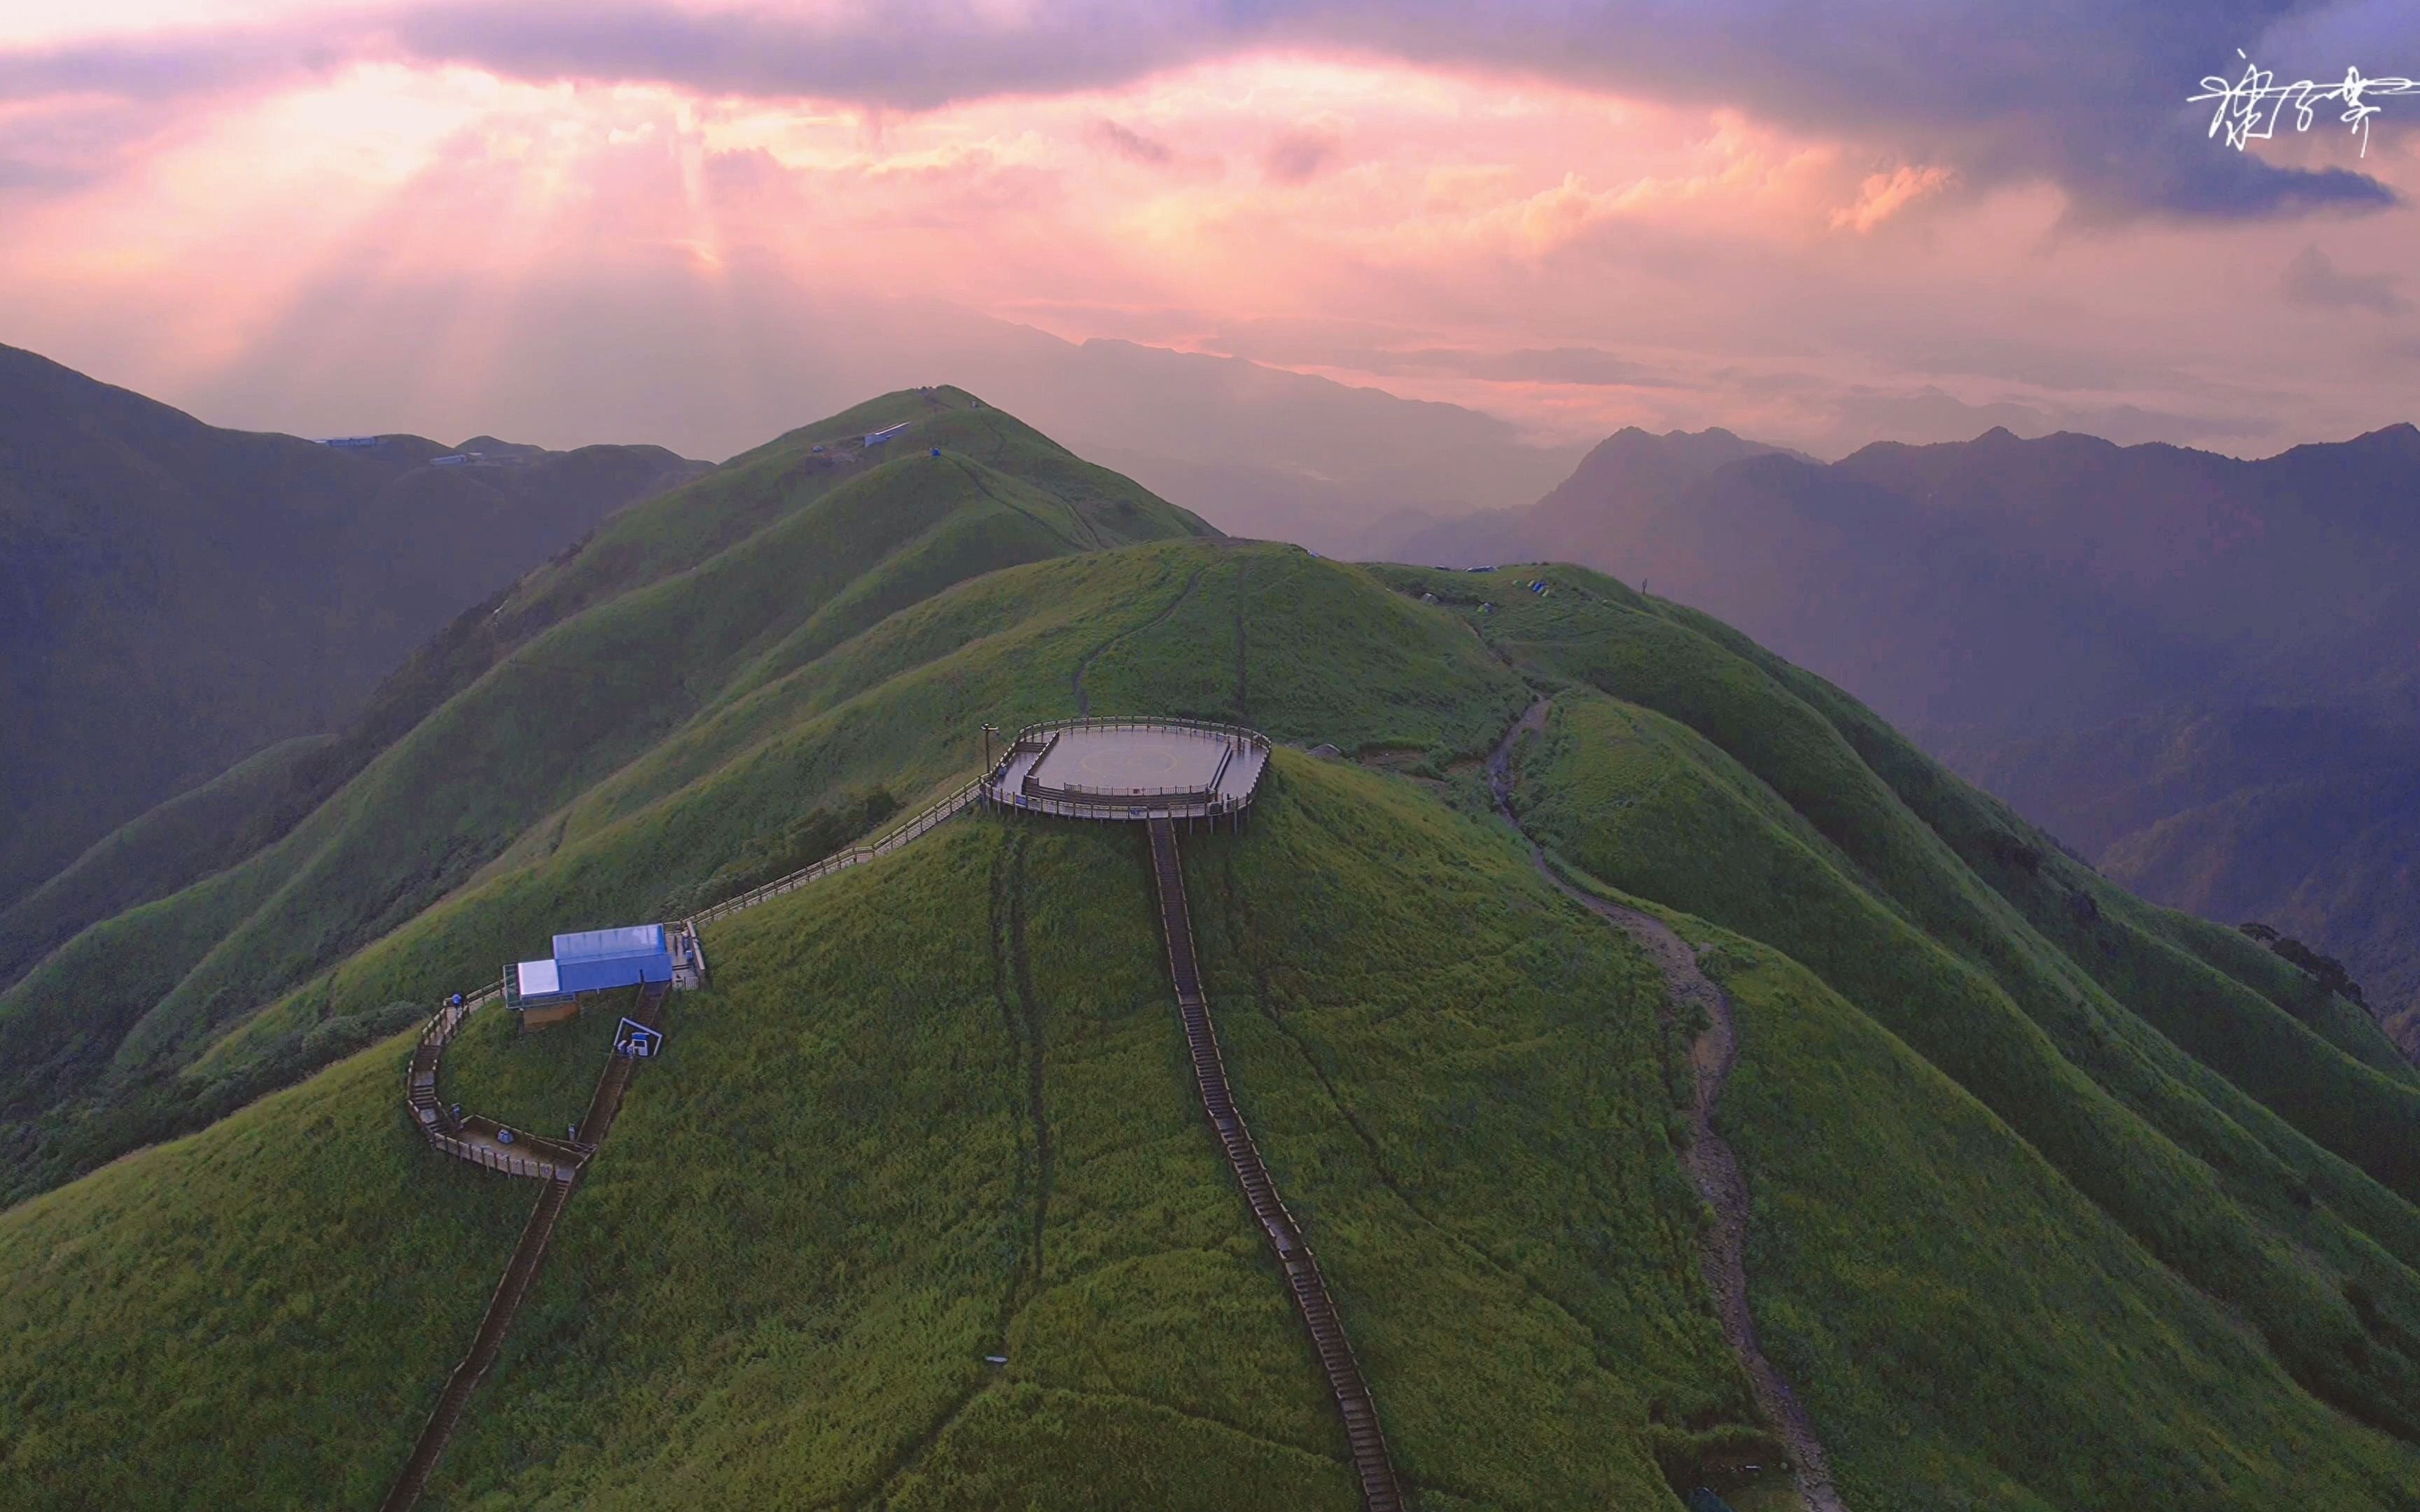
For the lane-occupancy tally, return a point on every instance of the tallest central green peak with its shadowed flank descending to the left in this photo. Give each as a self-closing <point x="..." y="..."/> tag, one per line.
<point x="512" y="715"/>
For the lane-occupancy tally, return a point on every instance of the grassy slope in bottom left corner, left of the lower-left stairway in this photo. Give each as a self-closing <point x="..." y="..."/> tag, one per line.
<point x="253" y="1317"/>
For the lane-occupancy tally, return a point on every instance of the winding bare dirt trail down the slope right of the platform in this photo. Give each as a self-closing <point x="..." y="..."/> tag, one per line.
<point x="1710" y="1158"/>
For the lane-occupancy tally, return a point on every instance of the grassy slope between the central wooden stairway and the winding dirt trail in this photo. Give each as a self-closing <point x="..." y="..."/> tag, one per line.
<point x="1460" y="1085"/>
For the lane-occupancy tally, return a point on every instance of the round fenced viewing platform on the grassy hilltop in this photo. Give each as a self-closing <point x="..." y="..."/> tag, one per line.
<point x="1129" y="771"/>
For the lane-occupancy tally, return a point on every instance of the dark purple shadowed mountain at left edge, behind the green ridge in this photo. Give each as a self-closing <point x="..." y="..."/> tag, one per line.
<point x="178" y="599"/>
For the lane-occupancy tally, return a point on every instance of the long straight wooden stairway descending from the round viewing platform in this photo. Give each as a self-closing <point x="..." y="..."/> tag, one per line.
<point x="1371" y="1462"/>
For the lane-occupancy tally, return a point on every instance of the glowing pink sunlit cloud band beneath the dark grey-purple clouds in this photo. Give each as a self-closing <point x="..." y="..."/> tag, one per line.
<point x="401" y="238"/>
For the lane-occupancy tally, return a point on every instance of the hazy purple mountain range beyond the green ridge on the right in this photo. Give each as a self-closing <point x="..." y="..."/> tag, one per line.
<point x="2201" y="671"/>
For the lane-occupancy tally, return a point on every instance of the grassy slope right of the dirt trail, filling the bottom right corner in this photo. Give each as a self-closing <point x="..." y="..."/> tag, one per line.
<point x="1969" y="1329"/>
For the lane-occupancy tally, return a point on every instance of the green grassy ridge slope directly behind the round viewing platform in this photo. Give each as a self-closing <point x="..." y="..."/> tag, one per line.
<point x="901" y="708"/>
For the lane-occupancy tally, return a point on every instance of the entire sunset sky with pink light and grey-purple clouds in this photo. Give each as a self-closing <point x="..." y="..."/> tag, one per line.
<point x="1816" y="226"/>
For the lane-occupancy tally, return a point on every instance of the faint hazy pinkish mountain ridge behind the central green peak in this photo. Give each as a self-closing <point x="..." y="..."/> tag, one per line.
<point x="1262" y="451"/>
